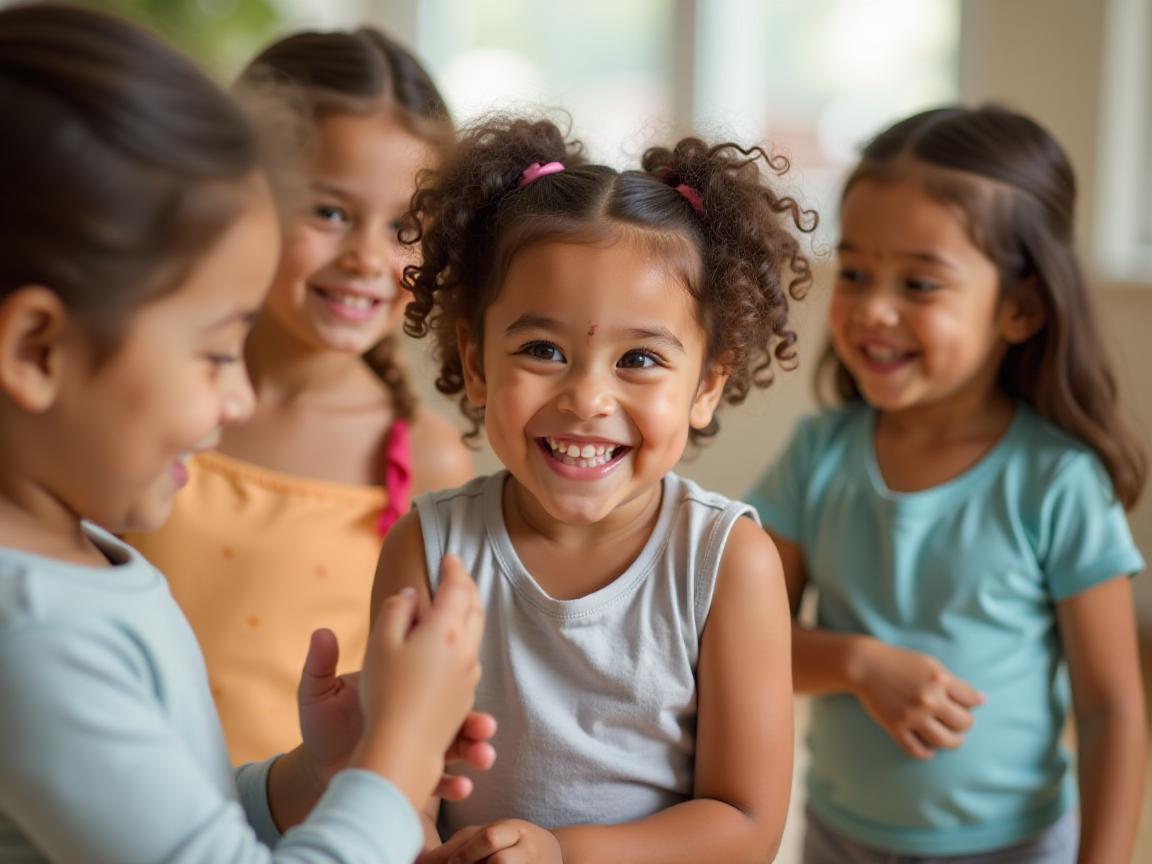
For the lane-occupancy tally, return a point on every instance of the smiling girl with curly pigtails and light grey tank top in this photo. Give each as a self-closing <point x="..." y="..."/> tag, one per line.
<point x="638" y="651"/>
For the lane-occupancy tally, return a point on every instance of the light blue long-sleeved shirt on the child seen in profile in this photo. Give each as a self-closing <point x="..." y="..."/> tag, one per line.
<point x="111" y="752"/>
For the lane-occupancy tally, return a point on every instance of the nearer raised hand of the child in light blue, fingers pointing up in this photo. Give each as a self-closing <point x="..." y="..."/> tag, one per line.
<point x="419" y="683"/>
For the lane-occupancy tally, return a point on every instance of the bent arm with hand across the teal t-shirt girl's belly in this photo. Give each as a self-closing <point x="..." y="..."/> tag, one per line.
<point x="912" y="696"/>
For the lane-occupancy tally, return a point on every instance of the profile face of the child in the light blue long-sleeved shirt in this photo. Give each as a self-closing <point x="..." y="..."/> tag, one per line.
<point x="175" y="381"/>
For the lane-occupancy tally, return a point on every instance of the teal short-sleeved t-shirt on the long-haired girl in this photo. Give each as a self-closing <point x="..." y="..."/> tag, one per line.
<point x="968" y="572"/>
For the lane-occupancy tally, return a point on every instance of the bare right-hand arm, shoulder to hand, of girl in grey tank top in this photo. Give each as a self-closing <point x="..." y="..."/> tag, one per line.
<point x="745" y="742"/>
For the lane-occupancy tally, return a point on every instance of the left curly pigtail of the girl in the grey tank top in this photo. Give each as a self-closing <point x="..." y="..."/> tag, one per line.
<point x="456" y="213"/>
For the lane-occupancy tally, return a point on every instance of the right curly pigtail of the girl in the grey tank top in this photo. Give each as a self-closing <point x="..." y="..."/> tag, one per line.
<point x="753" y="260"/>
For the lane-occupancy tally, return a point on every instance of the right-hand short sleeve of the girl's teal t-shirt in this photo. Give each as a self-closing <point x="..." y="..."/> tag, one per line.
<point x="1085" y="539"/>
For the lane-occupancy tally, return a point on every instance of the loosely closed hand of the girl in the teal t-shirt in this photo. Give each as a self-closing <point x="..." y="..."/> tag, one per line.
<point x="919" y="702"/>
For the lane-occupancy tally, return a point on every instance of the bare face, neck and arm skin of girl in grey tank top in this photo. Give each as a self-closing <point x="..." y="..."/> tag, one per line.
<point x="636" y="388"/>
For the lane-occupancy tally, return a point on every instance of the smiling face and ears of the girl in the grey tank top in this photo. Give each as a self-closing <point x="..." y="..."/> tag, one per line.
<point x="592" y="351"/>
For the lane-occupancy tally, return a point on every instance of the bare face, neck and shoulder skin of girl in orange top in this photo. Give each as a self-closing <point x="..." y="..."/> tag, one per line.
<point x="320" y="411"/>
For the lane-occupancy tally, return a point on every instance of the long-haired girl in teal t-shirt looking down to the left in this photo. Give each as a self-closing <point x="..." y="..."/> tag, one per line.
<point x="962" y="518"/>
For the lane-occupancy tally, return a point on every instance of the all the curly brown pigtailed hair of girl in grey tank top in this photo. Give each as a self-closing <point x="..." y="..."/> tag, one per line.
<point x="746" y="264"/>
